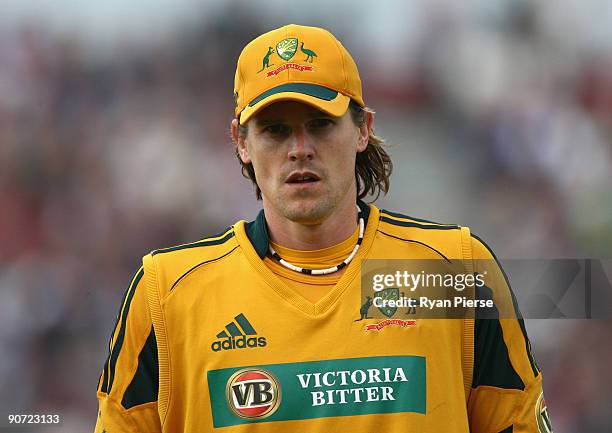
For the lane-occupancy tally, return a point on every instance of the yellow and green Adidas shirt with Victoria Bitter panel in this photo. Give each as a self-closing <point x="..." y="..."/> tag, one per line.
<point x="213" y="336"/>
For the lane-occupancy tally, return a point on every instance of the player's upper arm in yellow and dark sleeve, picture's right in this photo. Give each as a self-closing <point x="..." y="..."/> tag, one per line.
<point x="507" y="383"/>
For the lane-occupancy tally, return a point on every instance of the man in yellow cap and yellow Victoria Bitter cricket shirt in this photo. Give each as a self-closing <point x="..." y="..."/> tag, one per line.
<point x="266" y="327"/>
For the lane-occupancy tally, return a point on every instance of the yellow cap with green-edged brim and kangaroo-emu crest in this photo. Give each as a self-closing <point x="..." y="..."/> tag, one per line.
<point x="298" y="63"/>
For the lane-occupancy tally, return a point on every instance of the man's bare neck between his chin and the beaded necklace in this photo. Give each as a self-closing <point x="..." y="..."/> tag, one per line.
<point x="332" y="230"/>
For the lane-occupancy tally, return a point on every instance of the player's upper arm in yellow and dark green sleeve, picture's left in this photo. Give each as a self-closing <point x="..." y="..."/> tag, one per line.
<point x="128" y="385"/>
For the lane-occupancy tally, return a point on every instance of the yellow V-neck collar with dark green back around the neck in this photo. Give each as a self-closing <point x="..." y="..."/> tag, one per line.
<point x="254" y="239"/>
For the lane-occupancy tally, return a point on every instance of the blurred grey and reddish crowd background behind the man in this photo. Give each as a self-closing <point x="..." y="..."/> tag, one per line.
<point x="498" y="114"/>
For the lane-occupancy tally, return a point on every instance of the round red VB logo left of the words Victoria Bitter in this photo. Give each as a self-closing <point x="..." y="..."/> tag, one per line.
<point x="253" y="393"/>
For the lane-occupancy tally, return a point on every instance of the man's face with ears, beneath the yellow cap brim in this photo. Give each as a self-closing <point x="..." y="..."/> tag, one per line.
<point x="304" y="159"/>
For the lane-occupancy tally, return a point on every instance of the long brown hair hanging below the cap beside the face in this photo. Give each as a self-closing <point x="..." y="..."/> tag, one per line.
<point x="373" y="166"/>
